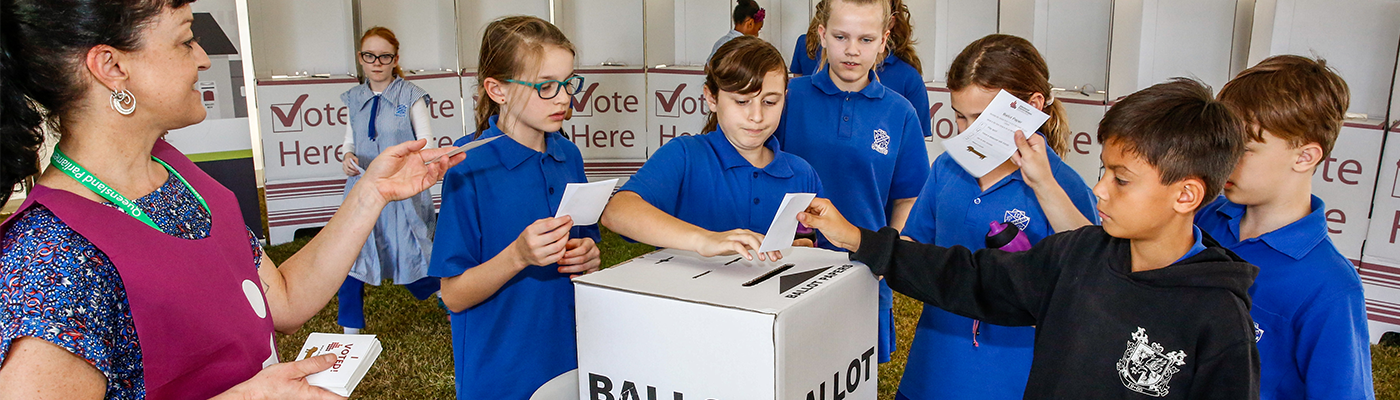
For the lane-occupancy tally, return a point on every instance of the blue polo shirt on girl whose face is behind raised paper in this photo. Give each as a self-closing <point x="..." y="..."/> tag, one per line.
<point x="953" y="210"/>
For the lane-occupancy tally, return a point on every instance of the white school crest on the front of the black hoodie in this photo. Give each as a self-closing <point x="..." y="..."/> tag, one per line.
<point x="1147" y="369"/>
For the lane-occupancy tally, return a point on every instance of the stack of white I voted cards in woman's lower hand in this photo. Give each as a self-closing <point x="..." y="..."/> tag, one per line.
<point x="355" y="356"/>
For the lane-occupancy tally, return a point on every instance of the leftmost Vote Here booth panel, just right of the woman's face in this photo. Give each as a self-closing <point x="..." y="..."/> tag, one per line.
<point x="303" y="61"/>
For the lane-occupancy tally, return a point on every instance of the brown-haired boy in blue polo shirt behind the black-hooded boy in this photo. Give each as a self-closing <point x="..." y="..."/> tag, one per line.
<point x="1310" y="310"/>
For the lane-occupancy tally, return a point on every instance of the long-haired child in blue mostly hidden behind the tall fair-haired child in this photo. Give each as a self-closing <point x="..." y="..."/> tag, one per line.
<point x="901" y="71"/>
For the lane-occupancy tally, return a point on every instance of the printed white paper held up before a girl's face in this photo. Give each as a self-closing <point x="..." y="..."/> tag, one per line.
<point x="992" y="139"/>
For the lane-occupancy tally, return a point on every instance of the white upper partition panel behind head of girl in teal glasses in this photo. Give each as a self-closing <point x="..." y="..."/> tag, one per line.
<point x="472" y="17"/>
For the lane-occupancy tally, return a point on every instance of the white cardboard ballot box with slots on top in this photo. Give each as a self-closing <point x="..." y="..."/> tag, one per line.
<point x="675" y="327"/>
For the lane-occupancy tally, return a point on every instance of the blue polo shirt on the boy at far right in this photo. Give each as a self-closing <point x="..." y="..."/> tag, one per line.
<point x="1308" y="307"/>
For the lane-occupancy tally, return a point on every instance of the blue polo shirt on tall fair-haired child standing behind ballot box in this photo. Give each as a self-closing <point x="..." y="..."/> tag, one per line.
<point x="869" y="152"/>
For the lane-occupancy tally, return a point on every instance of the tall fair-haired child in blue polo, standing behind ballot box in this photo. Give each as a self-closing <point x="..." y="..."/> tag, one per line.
<point x="862" y="138"/>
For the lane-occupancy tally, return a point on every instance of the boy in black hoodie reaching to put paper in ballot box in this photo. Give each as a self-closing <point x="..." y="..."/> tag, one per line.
<point x="1139" y="308"/>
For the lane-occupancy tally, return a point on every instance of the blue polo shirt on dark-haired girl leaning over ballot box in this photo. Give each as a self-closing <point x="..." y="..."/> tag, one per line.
<point x="703" y="181"/>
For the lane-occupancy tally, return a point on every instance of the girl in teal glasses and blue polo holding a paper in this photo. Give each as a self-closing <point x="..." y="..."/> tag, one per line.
<point x="505" y="264"/>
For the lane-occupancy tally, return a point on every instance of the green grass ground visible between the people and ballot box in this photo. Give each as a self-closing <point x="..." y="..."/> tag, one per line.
<point x="418" y="353"/>
